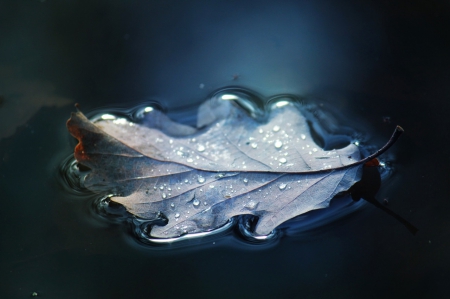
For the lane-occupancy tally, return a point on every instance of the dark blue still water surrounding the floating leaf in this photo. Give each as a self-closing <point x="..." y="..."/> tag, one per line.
<point x="368" y="59"/>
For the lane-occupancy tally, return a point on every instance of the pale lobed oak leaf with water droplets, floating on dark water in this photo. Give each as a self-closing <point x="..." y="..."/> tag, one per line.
<point x="231" y="164"/>
